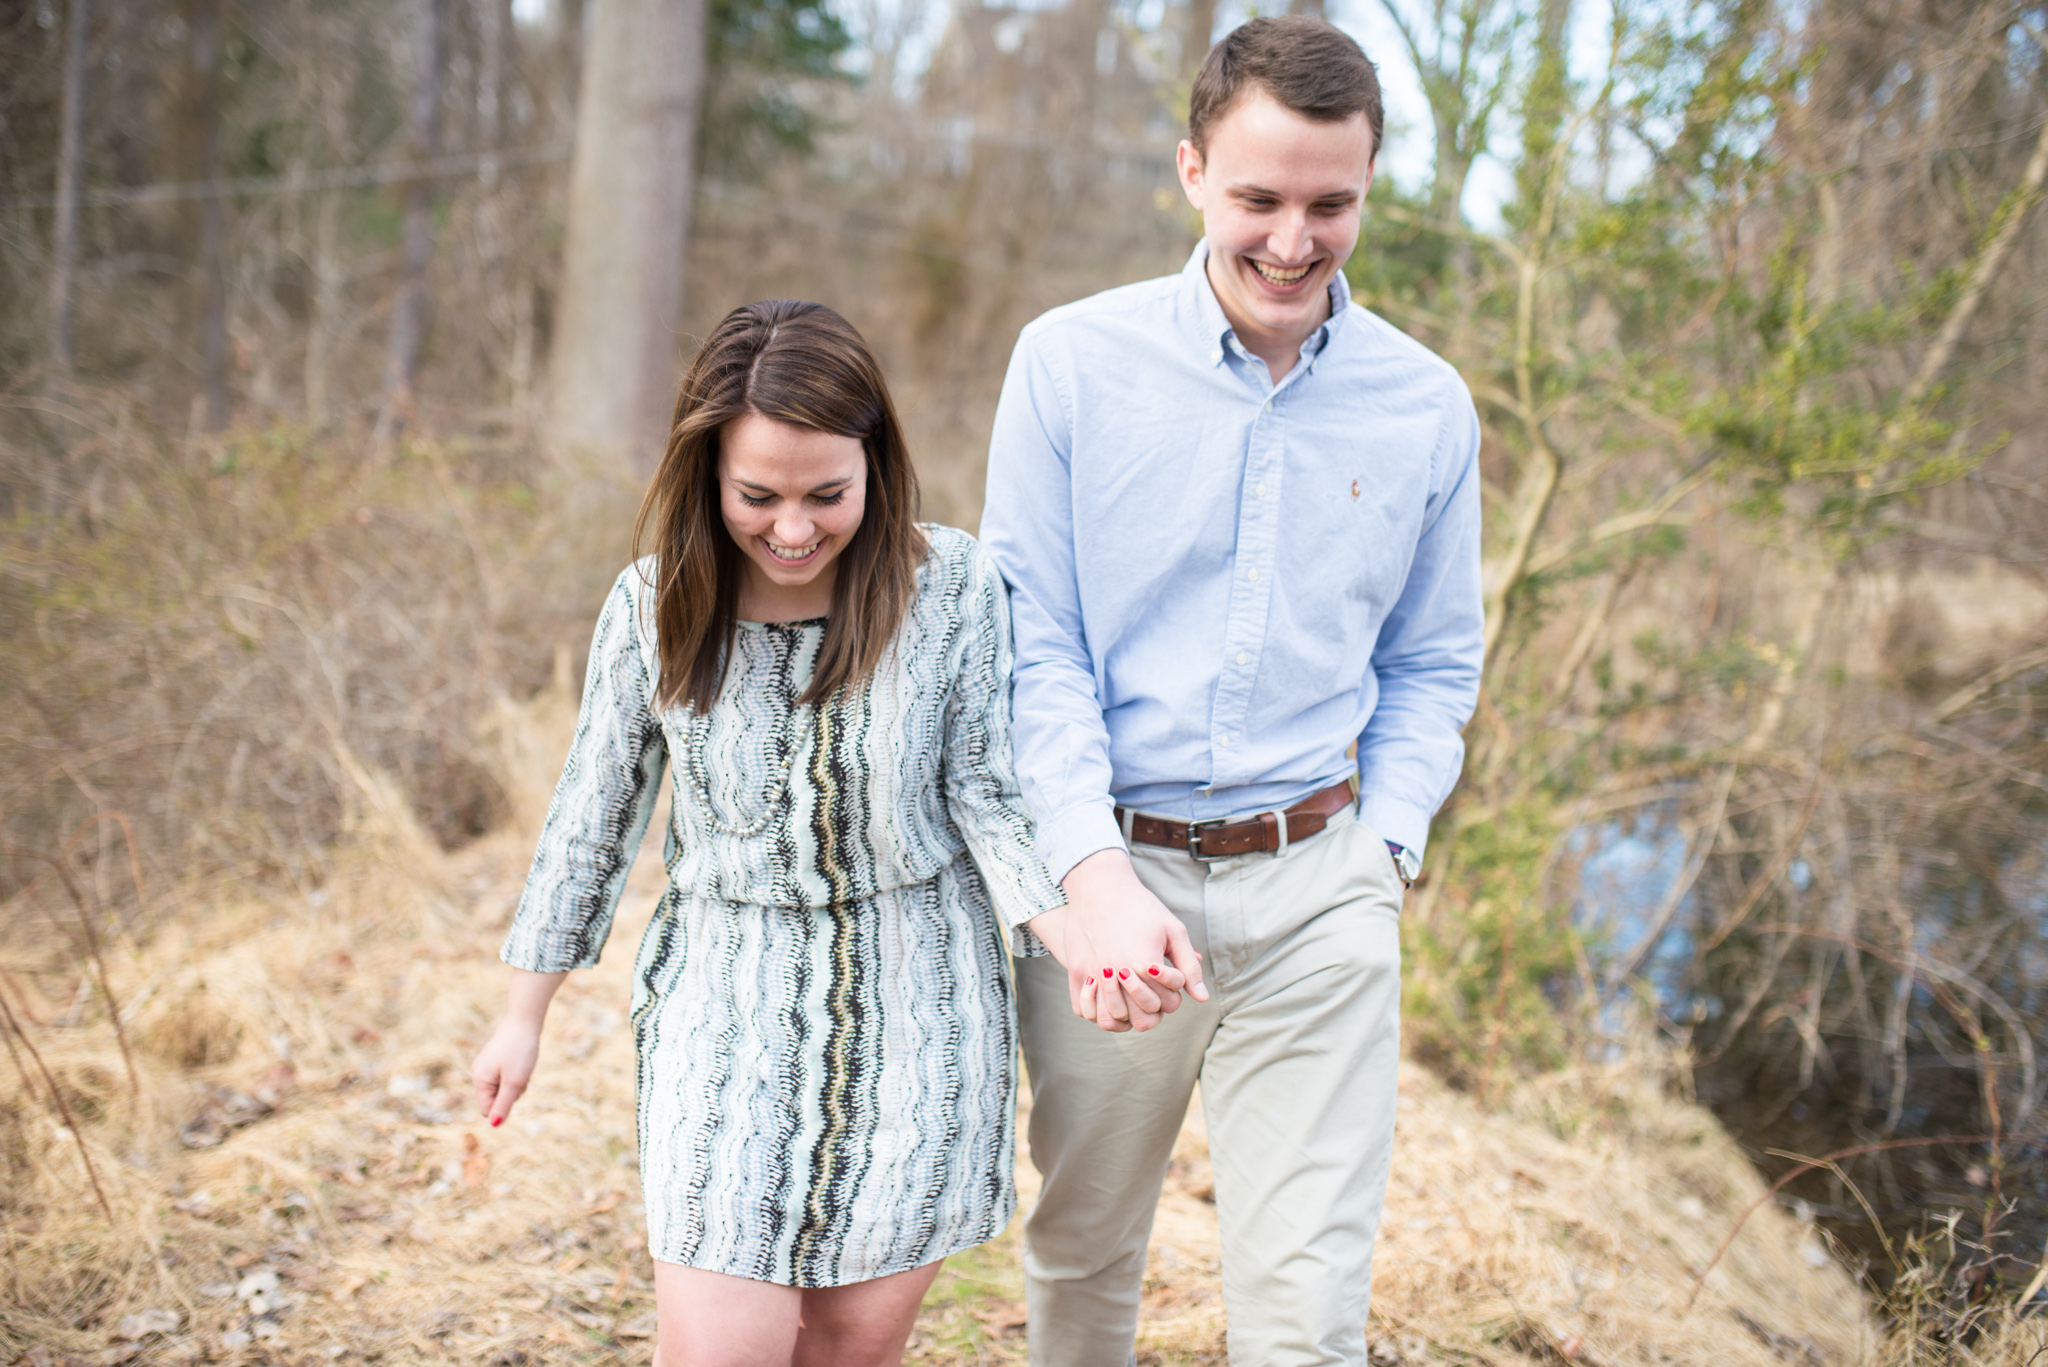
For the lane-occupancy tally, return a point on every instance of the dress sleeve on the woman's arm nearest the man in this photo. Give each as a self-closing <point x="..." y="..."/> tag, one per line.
<point x="982" y="784"/>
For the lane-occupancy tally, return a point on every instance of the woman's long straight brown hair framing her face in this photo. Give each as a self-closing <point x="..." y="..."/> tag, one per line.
<point x="806" y="366"/>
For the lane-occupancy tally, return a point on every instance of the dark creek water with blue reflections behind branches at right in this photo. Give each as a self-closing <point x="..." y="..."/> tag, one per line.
<point x="1787" y="1087"/>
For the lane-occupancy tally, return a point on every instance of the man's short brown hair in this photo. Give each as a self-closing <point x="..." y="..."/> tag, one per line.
<point x="1306" y="65"/>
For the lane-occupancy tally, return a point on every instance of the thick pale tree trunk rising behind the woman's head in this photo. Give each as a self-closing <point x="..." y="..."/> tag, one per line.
<point x="630" y="216"/>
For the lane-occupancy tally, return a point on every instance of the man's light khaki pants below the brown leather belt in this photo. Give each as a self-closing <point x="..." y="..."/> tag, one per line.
<point x="1295" y="1050"/>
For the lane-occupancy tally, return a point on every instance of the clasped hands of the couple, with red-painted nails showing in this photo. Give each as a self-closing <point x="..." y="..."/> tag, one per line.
<point x="1127" y="958"/>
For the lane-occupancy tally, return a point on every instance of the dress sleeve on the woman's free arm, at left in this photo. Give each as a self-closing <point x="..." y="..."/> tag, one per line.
<point x="601" y="809"/>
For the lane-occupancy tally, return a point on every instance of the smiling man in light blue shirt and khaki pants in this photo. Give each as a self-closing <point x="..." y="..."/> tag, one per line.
<point x="1240" y="520"/>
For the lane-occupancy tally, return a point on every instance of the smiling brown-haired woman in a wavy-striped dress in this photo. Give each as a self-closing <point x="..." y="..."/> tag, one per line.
<point x="820" y="1001"/>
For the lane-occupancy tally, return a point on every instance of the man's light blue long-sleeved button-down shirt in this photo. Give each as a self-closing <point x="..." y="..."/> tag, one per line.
<point x="1222" y="583"/>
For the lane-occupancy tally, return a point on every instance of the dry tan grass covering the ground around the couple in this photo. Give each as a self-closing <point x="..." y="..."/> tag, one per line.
<point x="327" y="1040"/>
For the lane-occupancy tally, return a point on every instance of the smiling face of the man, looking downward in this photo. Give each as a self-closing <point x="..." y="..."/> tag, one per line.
<point x="1281" y="200"/>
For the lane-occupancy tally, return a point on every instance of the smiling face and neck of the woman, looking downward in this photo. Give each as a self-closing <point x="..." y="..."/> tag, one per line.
<point x="792" y="499"/>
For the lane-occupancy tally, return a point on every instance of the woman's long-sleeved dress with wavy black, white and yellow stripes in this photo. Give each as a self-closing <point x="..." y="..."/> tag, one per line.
<point x="822" y="1007"/>
